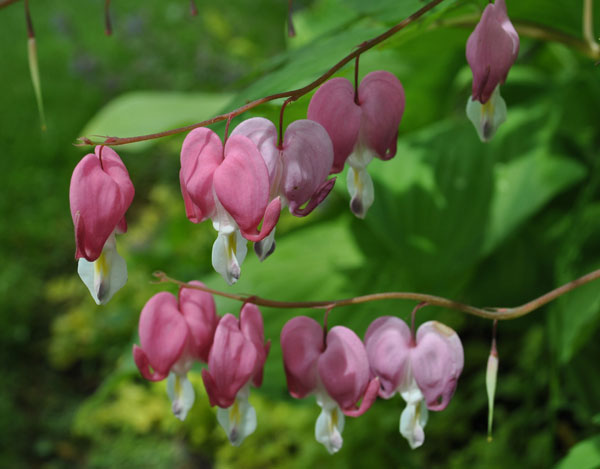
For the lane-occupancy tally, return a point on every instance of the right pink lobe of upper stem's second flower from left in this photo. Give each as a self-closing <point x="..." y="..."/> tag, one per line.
<point x="242" y="185"/>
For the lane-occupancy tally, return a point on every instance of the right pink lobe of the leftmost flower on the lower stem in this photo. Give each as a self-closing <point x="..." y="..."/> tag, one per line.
<point x="199" y="312"/>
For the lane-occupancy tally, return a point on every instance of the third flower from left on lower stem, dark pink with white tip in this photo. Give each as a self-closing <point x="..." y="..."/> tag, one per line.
<point x="334" y="367"/>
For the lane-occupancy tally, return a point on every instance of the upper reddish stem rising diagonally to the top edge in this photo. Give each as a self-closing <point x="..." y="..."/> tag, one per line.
<point x="294" y="94"/>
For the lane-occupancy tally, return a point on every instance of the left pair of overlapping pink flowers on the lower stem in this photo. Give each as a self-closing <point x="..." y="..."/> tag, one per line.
<point x="175" y="333"/>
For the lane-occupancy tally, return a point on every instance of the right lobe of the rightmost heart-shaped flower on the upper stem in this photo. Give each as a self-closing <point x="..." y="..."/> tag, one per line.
<point x="381" y="98"/>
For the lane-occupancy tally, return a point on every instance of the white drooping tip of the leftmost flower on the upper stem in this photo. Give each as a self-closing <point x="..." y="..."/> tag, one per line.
<point x="106" y="275"/>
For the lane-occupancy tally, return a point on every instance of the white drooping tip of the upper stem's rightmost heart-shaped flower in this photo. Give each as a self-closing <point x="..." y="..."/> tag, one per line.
<point x="360" y="184"/>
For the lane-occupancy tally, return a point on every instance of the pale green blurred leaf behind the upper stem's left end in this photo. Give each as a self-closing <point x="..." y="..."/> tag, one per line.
<point x="145" y="112"/>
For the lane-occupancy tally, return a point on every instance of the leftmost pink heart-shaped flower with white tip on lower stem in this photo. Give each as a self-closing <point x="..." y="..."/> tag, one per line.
<point x="173" y="334"/>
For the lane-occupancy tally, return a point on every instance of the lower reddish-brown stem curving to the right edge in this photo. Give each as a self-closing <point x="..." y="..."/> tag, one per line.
<point x="487" y="313"/>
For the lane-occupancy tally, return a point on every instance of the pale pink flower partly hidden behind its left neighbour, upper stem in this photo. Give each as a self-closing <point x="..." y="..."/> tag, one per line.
<point x="298" y="168"/>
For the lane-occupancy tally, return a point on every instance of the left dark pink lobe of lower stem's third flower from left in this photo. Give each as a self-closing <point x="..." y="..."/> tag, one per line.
<point x="302" y="344"/>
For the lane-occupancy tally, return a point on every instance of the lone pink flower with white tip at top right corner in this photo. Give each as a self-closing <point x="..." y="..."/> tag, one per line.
<point x="492" y="48"/>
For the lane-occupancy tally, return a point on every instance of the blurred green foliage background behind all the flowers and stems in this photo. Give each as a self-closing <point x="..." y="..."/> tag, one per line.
<point x="491" y="225"/>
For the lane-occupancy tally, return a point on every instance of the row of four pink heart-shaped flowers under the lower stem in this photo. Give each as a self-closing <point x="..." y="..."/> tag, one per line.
<point x="345" y="374"/>
